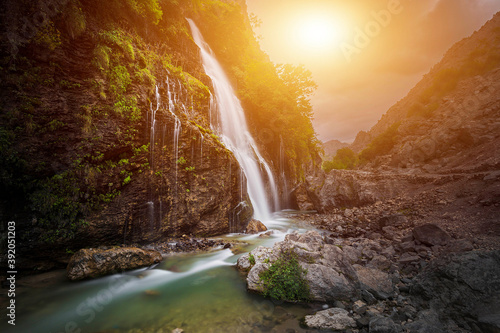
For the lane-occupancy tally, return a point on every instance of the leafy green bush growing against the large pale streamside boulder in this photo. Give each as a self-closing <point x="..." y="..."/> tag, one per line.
<point x="284" y="280"/>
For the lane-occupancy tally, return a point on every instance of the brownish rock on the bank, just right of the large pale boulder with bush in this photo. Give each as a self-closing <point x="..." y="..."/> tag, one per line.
<point x="378" y="283"/>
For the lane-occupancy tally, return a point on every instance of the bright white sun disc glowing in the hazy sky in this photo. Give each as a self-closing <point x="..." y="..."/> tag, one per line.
<point x="319" y="32"/>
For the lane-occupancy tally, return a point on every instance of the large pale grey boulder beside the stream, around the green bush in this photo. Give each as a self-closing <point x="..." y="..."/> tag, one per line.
<point x="330" y="276"/>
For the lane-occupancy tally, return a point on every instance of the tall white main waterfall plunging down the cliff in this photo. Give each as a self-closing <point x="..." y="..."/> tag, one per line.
<point x="234" y="132"/>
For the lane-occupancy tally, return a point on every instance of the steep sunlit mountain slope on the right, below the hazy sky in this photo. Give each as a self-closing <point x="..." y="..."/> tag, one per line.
<point x="451" y="118"/>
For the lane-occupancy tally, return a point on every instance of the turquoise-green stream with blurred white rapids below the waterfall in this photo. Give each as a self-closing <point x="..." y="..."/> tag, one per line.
<point x="200" y="292"/>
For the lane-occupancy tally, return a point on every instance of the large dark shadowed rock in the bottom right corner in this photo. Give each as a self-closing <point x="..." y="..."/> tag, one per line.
<point x="463" y="287"/>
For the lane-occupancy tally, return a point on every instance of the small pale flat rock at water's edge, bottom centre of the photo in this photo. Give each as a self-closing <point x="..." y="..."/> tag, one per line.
<point x="333" y="319"/>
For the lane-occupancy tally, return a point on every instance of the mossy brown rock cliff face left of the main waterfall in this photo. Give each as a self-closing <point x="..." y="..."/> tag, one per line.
<point x="105" y="129"/>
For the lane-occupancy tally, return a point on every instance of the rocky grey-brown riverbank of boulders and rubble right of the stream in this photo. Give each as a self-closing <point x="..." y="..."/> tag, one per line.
<point x="390" y="284"/>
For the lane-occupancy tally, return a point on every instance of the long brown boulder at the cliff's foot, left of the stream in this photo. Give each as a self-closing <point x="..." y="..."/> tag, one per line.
<point x="92" y="263"/>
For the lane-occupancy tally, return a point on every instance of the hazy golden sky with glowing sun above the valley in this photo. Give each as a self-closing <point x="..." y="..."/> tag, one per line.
<point x="365" y="55"/>
